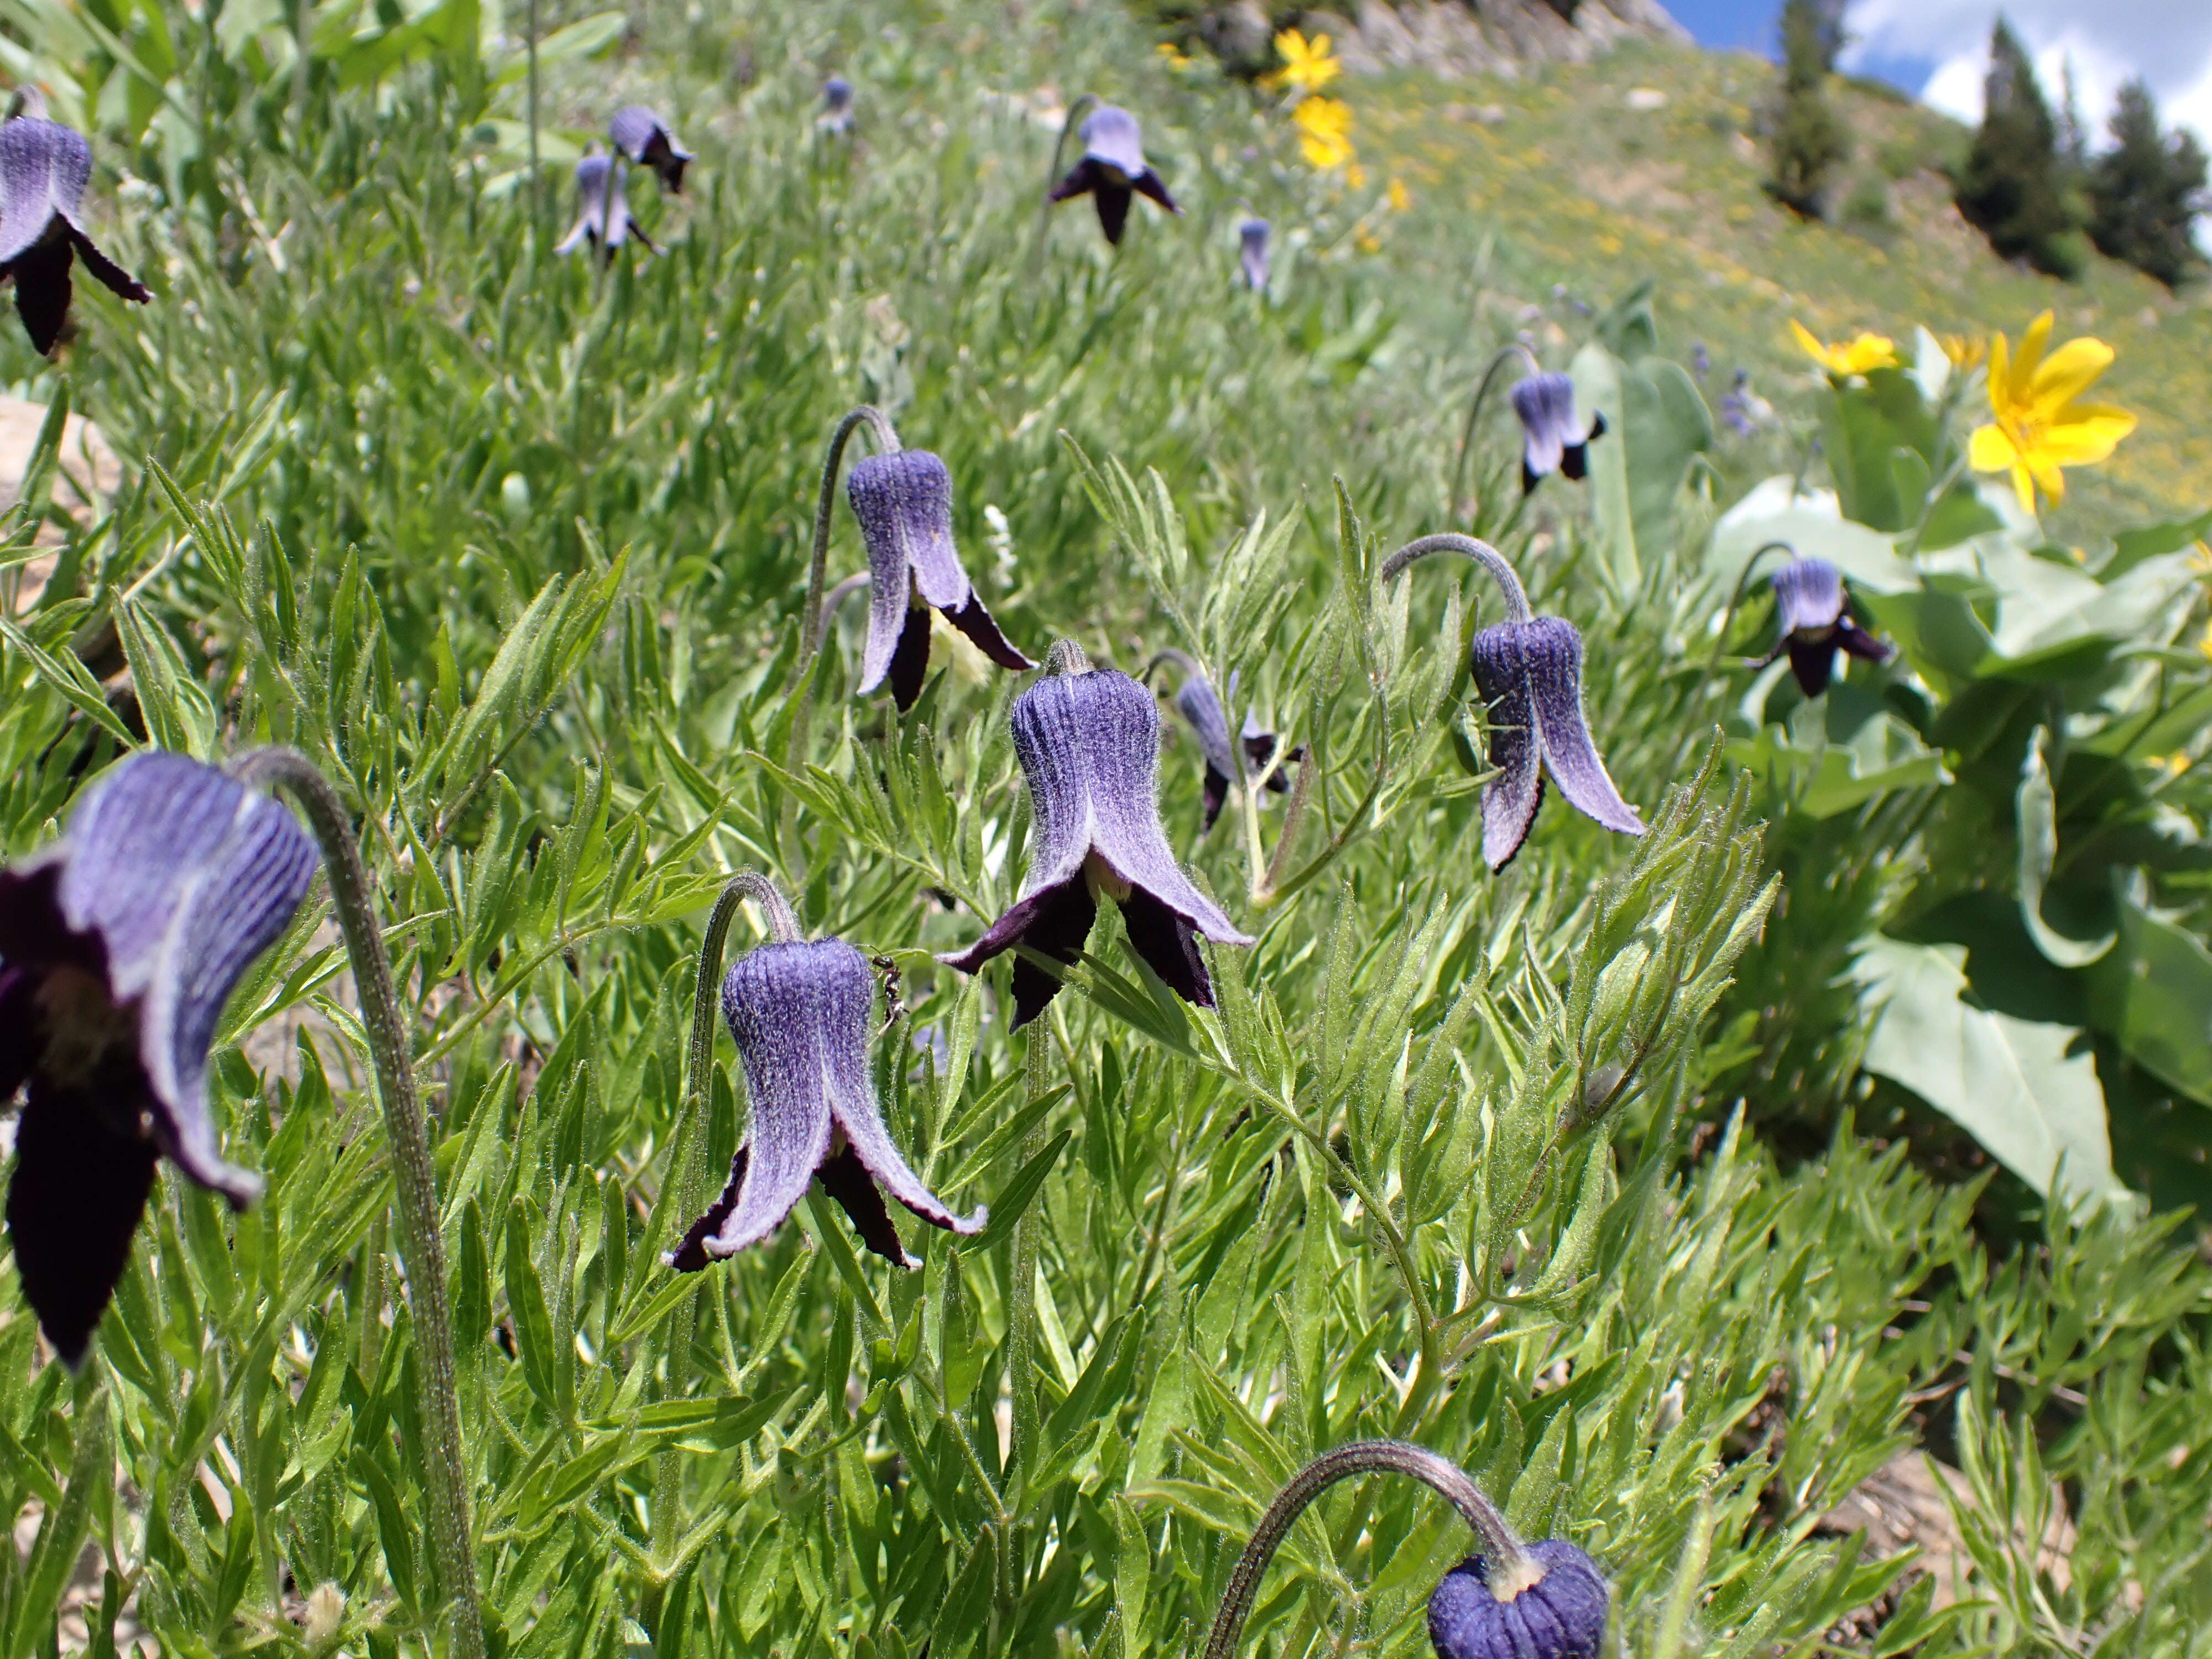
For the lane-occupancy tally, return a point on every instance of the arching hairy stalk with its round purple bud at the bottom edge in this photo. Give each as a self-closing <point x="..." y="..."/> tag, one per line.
<point x="1510" y="1600"/>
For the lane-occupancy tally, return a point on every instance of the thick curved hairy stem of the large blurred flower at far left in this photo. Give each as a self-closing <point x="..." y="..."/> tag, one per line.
<point x="424" y="1249"/>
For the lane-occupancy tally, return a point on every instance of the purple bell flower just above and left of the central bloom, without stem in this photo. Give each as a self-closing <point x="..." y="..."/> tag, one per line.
<point x="906" y="510"/>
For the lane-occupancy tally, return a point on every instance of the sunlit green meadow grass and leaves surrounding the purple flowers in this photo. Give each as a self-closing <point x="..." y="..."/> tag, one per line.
<point x="1667" y="1185"/>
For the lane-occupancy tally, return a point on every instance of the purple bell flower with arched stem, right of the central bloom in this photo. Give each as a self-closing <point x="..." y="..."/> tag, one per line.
<point x="1530" y="676"/>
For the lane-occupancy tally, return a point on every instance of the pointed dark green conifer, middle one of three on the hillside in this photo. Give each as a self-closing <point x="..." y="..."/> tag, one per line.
<point x="2014" y="182"/>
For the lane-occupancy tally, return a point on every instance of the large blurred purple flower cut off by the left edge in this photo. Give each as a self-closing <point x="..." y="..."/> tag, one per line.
<point x="118" y="948"/>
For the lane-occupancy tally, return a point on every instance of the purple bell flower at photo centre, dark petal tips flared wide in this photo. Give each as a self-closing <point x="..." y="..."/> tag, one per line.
<point x="1089" y="749"/>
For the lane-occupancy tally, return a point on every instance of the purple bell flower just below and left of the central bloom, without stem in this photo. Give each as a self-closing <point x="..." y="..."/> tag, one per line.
<point x="800" y="1014"/>
